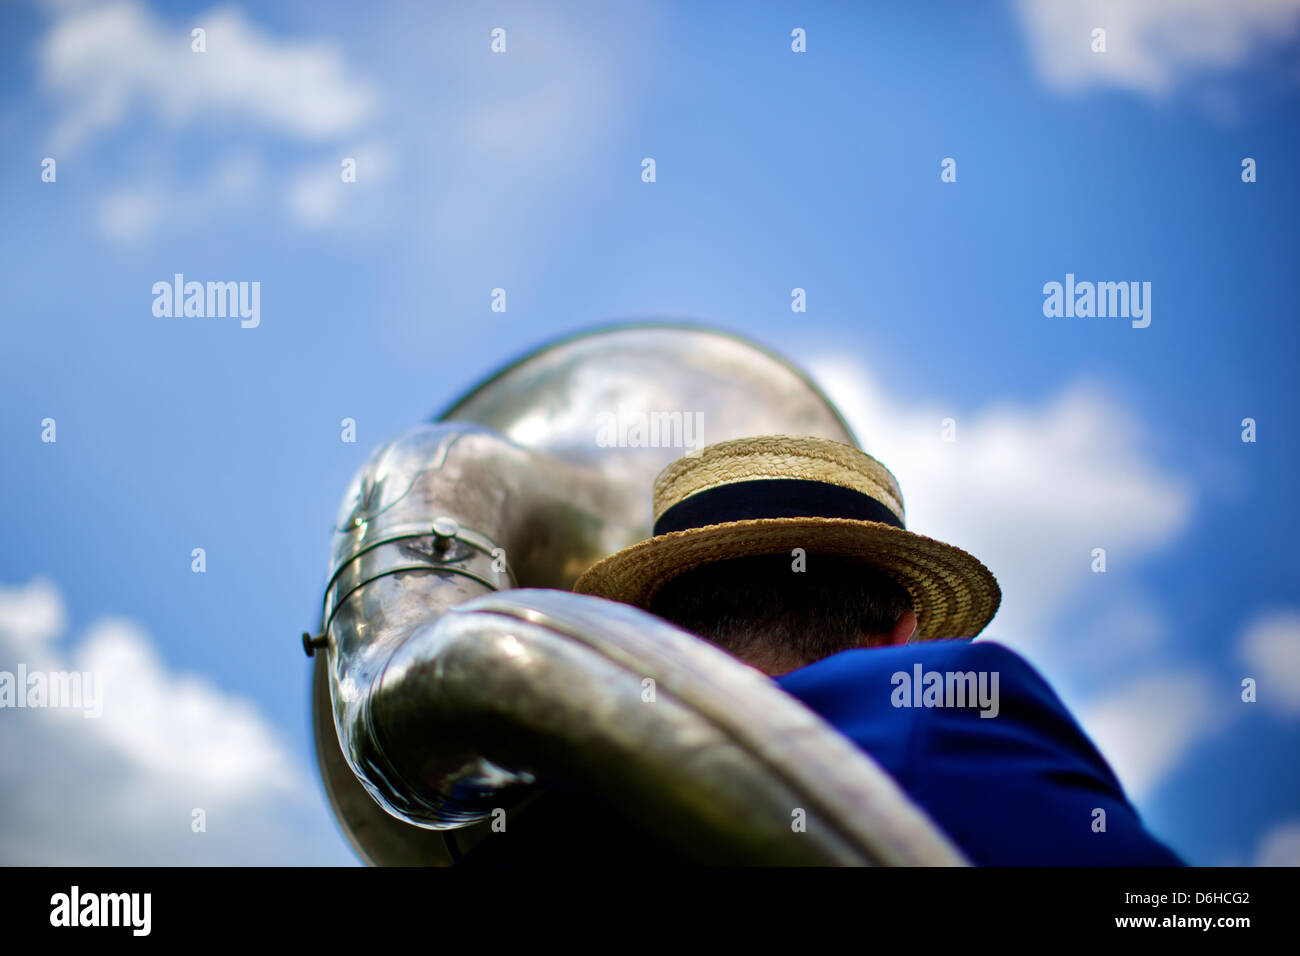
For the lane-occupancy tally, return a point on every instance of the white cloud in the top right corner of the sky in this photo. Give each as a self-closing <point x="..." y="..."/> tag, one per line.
<point x="1152" y="46"/>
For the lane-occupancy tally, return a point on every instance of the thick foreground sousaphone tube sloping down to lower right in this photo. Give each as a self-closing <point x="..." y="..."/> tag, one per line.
<point x="720" y="762"/>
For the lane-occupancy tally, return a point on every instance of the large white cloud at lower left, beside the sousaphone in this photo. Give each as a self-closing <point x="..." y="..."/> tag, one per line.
<point x="120" y="789"/>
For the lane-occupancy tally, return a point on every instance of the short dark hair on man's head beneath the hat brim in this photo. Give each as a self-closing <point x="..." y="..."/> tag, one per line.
<point x="744" y="604"/>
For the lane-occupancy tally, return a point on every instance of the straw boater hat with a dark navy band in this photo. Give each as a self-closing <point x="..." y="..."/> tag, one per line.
<point x="774" y="494"/>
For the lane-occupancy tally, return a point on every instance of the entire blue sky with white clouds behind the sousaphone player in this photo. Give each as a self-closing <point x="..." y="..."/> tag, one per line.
<point x="523" y="171"/>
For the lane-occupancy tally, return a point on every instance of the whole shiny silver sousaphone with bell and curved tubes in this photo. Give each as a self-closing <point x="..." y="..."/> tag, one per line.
<point x="515" y="487"/>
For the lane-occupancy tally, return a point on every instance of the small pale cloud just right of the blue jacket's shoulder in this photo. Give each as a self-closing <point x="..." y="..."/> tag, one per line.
<point x="1147" y="728"/>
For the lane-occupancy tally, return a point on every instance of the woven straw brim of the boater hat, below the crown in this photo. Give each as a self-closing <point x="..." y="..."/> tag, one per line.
<point x="952" y="592"/>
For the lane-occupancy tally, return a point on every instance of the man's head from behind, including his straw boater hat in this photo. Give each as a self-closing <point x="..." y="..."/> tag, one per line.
<point x="779" y="494"/>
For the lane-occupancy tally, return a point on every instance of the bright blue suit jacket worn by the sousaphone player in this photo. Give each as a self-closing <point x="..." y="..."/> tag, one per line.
<point x="1019" y="789"/>
